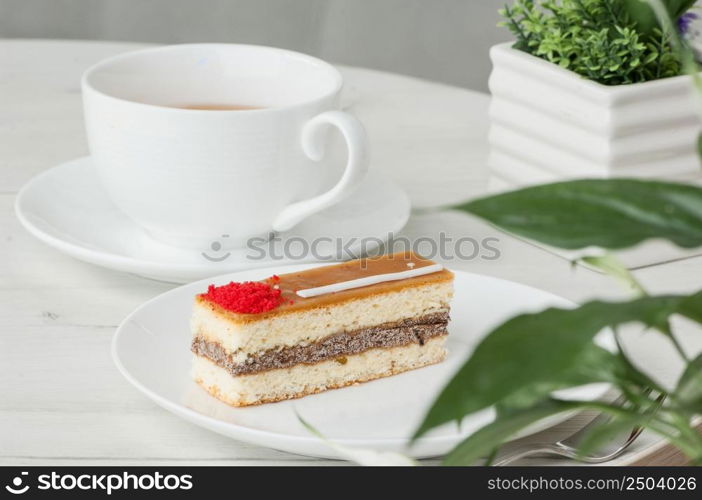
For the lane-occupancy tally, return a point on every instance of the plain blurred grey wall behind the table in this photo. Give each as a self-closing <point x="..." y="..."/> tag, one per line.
<point x="443" y="40"/>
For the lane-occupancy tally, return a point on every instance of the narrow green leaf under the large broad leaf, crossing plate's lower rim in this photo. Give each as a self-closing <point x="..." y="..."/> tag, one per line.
<point x="483" y="441"/>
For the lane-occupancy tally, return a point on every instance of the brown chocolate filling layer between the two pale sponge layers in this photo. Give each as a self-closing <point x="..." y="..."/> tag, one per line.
<point x="408" y="331"/>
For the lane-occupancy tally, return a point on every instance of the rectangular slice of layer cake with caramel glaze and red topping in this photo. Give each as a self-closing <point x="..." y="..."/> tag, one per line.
<point x="328" y="327"/>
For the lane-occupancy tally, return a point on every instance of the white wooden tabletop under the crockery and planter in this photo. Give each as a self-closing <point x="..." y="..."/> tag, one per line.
<point x="61" y="399"/>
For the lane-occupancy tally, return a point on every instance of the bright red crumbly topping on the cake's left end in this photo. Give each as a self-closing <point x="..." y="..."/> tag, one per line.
<point x="250" y="297"/>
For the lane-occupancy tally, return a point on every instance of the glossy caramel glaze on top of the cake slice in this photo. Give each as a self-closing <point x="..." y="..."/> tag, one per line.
<point x="346" y="271"/>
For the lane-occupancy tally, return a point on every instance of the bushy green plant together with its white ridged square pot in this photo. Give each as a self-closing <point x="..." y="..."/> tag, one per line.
<point x="591" y="88"/>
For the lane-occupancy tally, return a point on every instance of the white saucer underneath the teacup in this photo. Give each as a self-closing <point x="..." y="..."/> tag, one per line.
<point x="67" y="208"/>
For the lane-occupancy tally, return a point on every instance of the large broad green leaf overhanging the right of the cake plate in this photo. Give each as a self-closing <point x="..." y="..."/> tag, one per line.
<point x="535" y="352"/>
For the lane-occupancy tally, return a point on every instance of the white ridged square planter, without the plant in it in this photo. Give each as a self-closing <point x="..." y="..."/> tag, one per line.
<point x="548" y="123"/>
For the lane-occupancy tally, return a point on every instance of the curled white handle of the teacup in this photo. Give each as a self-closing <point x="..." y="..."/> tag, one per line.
<point x="313" y="145"/>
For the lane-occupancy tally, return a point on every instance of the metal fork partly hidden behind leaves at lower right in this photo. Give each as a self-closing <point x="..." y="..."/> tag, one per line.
<point x="568" y="447"/>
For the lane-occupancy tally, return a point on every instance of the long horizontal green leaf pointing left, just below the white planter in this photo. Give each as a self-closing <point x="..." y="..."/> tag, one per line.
<point x="615" y="213"/>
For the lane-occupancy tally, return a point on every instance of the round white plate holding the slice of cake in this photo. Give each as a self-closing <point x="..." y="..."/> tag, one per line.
<point x="152" y="350"/>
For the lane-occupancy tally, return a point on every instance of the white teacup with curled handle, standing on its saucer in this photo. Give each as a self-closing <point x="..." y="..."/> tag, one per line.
<point x="190" y="176"/>
